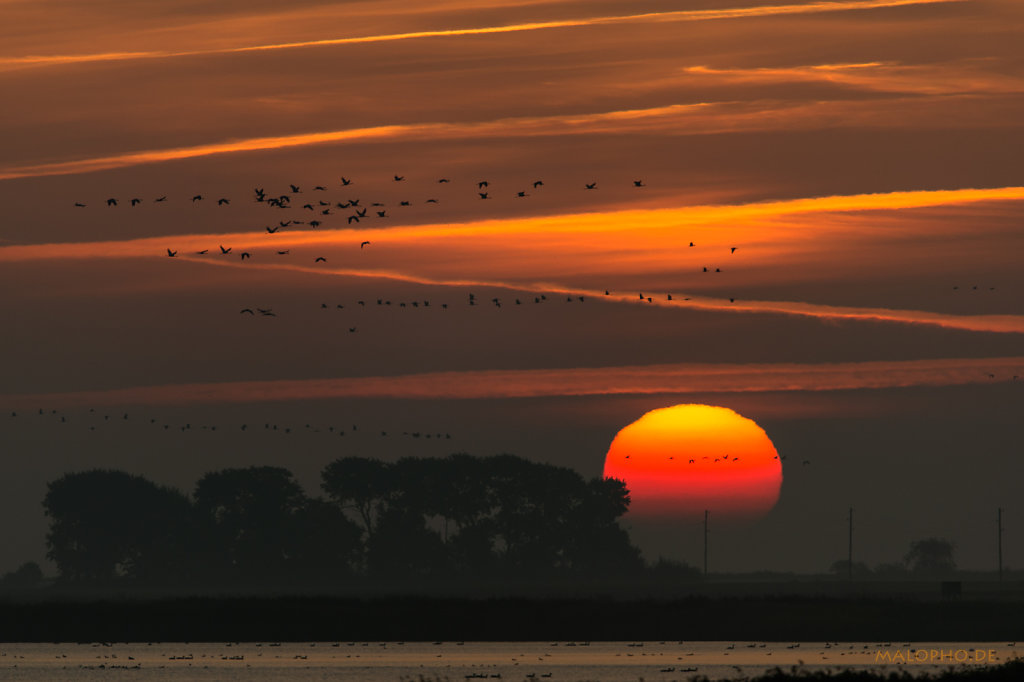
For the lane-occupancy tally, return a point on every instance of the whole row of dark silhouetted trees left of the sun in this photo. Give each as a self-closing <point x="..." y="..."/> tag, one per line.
<point x="456" y="518"/>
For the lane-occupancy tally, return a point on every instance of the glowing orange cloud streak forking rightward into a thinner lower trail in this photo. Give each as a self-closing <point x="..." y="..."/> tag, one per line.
<point x="519" y="254"/>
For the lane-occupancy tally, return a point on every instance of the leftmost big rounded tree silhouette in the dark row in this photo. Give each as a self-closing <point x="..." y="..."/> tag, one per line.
<point x="106" y="525"/>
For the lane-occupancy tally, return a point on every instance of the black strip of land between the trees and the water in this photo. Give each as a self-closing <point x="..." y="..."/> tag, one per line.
<point x="323" y="619"/>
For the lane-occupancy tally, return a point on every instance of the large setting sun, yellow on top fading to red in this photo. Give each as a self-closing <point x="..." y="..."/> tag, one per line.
<point x="680" y="461"/>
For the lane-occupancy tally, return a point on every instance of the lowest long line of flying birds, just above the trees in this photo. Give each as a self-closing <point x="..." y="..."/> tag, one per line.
<point x="95" y="421"/>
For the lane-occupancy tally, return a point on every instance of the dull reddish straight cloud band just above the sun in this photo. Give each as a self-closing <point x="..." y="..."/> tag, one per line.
<point x="672" y="379"/>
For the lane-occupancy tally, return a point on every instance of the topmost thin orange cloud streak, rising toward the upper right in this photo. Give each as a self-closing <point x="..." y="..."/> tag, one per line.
<point x="678" y="16"/>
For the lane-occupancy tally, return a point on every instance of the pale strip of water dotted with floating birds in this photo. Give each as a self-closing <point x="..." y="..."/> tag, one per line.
<point x="458" y="662"/>
